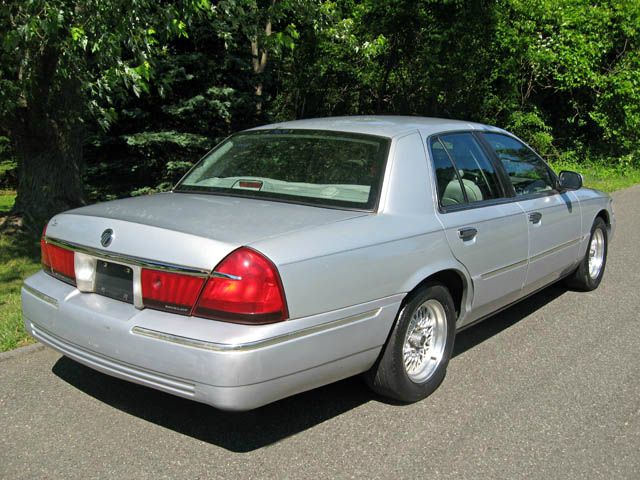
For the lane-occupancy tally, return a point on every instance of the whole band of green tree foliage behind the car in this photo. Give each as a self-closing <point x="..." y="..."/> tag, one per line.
<point x="158" y="84"/>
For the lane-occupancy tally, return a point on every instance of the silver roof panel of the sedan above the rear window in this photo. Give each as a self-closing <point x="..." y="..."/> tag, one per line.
<point x="381" y="125"/>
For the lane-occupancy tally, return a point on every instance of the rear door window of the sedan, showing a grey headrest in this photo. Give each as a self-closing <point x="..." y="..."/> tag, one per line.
<point x="476" y="174"/>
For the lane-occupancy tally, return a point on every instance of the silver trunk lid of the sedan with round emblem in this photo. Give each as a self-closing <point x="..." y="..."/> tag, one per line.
<point x="190" y="230"/>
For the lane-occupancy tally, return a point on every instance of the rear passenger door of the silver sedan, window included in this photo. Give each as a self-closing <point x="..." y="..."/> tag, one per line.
<point x="486" y="232"/>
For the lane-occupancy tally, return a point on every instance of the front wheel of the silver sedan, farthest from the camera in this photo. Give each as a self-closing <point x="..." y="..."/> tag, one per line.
<point x="589" y="273"/>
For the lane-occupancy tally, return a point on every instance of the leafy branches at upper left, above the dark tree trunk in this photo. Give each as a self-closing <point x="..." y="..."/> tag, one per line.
<point x="91" y="48"/>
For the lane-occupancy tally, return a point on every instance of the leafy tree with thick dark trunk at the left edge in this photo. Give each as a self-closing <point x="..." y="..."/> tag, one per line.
<point x="62" y="65"/>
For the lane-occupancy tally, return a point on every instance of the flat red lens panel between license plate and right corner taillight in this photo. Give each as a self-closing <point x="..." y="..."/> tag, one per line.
<point x="172" y="292"/>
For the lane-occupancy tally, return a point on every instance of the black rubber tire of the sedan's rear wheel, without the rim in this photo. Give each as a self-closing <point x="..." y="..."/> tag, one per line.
<point x="389" y="377"/>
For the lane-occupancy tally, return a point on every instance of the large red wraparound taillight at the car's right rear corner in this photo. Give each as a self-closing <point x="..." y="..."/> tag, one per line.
<point x="252" y="294"/>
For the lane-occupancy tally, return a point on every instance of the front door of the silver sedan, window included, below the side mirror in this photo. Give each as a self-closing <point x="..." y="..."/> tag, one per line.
<point x="553" y="217"/>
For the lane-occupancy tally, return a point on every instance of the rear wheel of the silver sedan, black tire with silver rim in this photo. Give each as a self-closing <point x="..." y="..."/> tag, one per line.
<point x="414" y="360"/>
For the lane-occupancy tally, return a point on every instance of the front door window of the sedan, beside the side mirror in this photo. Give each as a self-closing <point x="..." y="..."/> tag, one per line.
<point x="527" y="172"/>
